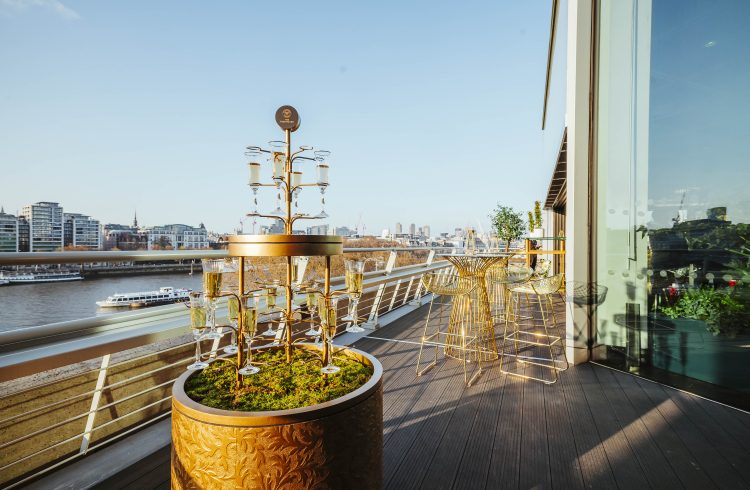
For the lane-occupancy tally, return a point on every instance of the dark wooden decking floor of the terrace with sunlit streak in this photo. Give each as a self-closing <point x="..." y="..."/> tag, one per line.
<point x="594" y="428"/>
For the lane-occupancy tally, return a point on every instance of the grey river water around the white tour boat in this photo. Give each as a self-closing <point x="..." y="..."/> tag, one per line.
<point x="27" y="305"/>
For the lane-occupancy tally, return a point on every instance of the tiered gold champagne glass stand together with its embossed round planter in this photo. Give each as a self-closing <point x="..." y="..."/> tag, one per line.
<point x="317" y="446"/>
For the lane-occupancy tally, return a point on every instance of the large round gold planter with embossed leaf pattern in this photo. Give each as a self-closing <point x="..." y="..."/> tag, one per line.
<point x="336" y="445"/>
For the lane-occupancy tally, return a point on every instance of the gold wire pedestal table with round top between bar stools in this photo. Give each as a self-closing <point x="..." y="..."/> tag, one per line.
<point x="481" y="324"/>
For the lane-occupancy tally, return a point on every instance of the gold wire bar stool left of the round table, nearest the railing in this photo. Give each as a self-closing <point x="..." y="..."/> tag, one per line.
<point x="450" y="293"/>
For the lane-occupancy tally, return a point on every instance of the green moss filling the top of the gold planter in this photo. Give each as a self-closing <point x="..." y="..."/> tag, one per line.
<point x="278" y="385"/>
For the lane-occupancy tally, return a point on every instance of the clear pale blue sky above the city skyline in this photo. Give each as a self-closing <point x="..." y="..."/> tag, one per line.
<point x="431" y="110"/>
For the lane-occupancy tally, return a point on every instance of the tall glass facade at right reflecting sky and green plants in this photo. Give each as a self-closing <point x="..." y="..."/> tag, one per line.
<point x="672" y="203"/>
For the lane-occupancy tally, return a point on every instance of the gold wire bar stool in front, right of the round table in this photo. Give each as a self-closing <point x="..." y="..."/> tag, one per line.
<point x="525" y="339"/>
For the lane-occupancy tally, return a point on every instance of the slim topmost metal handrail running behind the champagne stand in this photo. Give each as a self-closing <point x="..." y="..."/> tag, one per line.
<point x="35" y="258"/>
